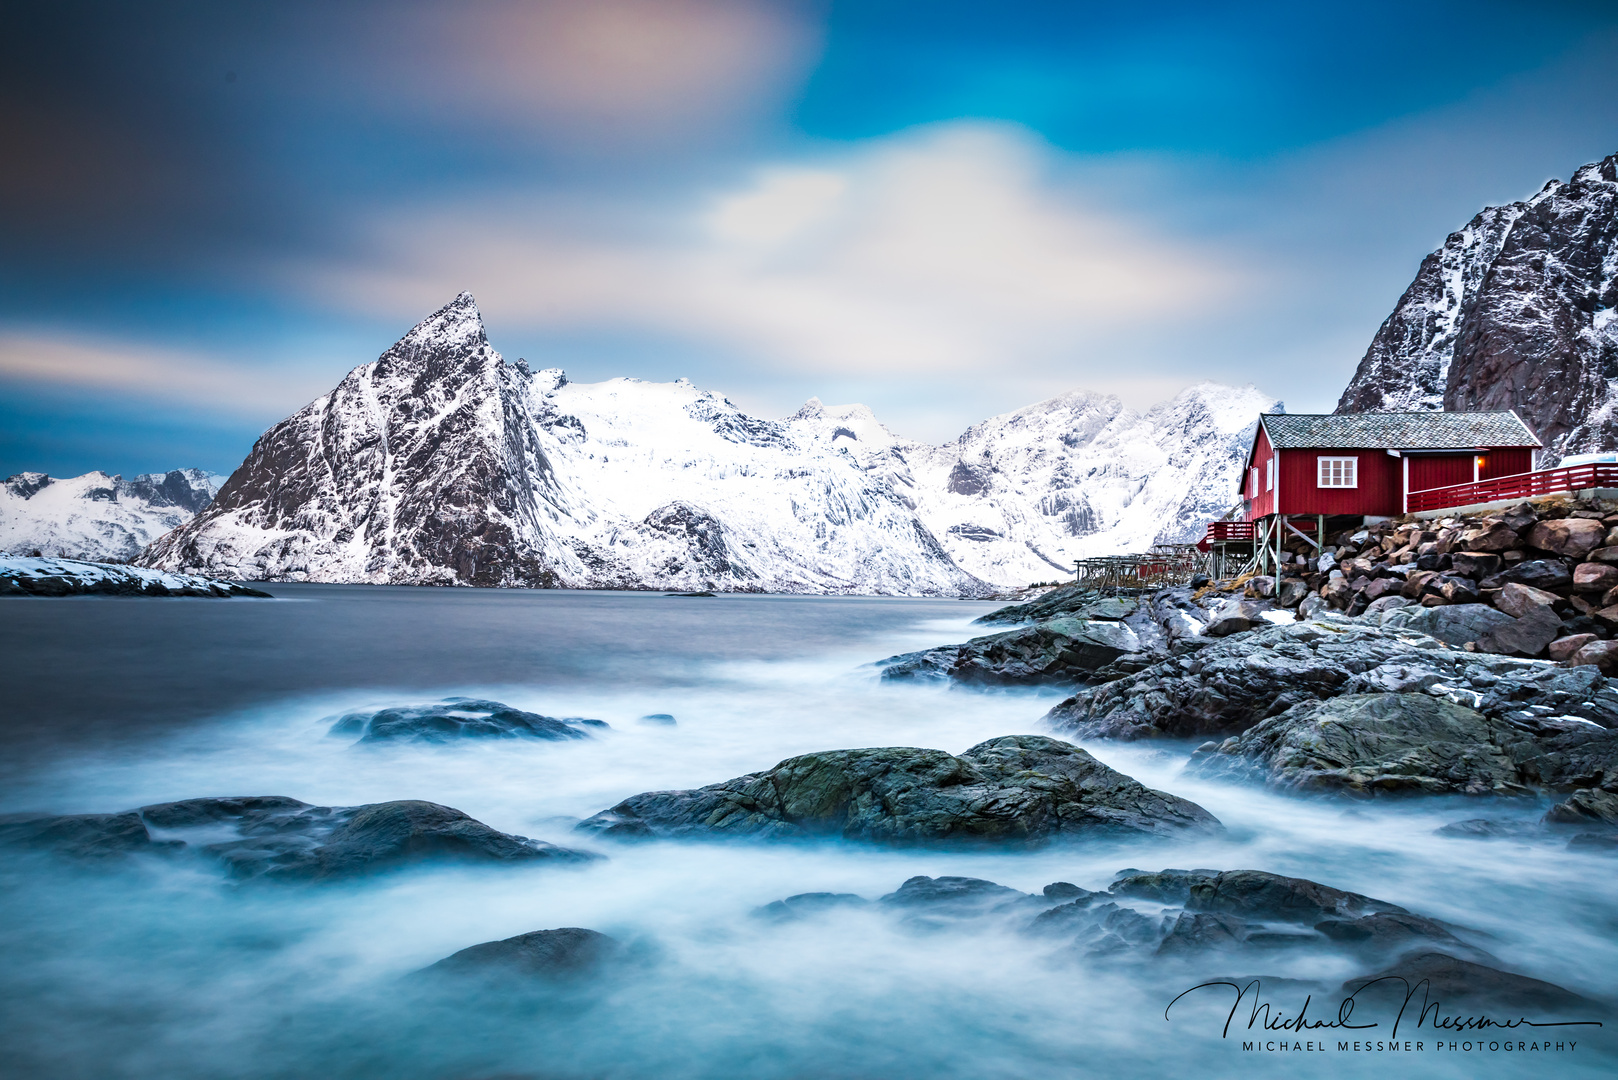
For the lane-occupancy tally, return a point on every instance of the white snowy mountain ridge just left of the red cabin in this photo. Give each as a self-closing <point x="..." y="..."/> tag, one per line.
<point x="1020" y="496"/>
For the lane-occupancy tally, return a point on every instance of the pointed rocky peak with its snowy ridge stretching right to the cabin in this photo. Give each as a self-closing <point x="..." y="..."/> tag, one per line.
<point x="441" y="464"/>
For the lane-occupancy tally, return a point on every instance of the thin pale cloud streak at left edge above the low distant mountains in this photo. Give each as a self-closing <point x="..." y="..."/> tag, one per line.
<point x="156" y="375"/>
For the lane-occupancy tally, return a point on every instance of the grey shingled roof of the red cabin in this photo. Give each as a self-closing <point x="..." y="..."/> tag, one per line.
<point x="1397" y="432"/>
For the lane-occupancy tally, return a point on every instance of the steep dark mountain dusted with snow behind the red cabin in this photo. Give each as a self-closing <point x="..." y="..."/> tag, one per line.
<point x="1518" y="310"/>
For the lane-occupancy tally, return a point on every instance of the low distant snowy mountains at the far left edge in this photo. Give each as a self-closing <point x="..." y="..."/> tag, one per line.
<point x="98" y="517"/>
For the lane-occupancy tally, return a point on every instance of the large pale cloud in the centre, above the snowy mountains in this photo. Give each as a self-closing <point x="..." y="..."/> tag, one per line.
<point x="952" y="250"/>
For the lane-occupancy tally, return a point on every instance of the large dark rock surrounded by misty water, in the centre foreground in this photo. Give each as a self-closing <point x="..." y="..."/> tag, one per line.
<point x="1014" y="789"/>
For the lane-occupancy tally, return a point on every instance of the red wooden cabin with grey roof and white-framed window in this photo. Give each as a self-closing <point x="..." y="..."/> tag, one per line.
<point x="1368" y="464"/>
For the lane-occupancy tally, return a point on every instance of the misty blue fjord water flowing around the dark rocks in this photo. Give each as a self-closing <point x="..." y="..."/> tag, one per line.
<point x="163" y="969"/>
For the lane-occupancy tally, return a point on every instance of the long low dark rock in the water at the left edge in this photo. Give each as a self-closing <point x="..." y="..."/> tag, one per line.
<point x="284" y="840"/>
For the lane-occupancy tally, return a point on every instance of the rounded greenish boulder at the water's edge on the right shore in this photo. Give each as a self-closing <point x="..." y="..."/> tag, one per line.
<point x="1378" y="744"/>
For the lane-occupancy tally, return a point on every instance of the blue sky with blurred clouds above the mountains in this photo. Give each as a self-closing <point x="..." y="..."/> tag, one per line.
<point x="213" y="211"/>
